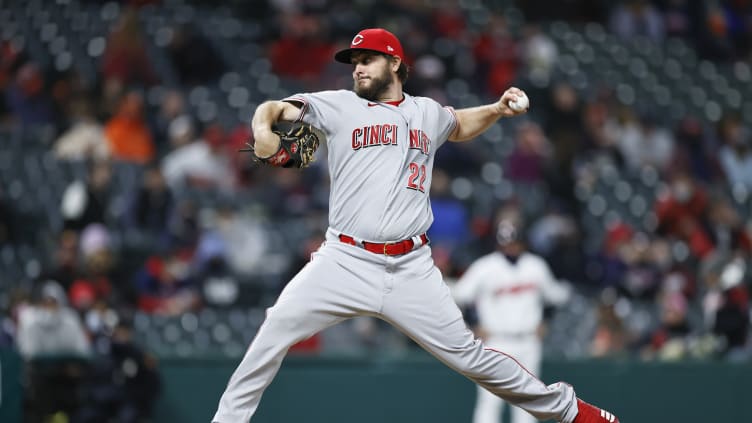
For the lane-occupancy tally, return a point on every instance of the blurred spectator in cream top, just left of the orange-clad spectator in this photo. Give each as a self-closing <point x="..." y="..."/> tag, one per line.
<point x="85" y="137"/>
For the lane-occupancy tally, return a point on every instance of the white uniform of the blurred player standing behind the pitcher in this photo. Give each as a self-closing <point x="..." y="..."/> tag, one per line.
<point x="509" y="299"/>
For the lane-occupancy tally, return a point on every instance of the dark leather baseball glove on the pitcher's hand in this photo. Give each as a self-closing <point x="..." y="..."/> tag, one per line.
<point x="297" y="143"/>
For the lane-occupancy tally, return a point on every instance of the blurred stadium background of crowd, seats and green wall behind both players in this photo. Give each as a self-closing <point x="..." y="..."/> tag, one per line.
<point x="138" y="250"/>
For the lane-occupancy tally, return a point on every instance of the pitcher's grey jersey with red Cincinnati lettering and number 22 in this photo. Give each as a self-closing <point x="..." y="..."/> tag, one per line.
<point x="380" y="160"/>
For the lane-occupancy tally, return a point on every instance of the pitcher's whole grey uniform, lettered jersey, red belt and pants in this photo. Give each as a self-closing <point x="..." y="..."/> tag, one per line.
<point x="380" y="161"/>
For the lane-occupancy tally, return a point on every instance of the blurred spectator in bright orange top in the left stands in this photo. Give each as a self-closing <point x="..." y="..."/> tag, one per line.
<point x="129" y="136"/>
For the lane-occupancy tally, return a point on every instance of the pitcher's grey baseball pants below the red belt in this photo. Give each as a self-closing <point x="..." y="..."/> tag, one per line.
<point x="343" y="281"/>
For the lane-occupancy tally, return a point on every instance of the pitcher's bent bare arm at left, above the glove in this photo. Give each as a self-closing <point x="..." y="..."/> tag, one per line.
<point x="267" y="113"/>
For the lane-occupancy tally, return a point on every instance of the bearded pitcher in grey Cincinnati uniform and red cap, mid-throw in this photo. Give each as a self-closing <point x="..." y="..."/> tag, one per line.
<point x="376" y="260"/>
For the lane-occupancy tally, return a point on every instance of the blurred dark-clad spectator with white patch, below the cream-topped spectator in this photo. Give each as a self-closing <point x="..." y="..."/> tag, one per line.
<point x="86" y="202"/>
